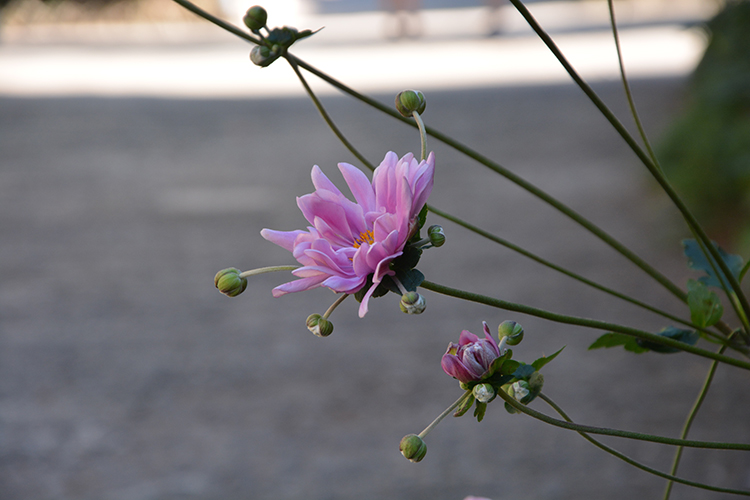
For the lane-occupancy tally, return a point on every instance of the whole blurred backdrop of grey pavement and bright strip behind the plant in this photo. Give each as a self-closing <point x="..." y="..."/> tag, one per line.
<point x="141" y="152"/>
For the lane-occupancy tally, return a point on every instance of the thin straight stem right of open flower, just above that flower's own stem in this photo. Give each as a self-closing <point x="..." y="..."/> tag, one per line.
<point x="564" y="271"/>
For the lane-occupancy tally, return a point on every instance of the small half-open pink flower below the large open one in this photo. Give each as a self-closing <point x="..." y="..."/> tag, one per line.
<point x="470" y="360"/>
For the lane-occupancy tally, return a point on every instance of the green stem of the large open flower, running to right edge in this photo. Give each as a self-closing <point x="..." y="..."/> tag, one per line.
<point x="585" y="322"/>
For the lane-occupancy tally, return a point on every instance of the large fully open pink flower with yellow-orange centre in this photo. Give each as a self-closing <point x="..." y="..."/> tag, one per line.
<point x="349" y="241"/>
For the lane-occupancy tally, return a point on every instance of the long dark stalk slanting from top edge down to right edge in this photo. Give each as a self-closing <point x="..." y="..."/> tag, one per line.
<point x="690" y="219"/>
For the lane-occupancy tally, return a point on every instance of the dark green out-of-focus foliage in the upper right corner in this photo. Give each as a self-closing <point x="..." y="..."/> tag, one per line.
<point x="706" y="153"/>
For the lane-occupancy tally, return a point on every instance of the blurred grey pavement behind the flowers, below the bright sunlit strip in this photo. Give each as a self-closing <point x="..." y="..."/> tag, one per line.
<point x="125" y="375"/>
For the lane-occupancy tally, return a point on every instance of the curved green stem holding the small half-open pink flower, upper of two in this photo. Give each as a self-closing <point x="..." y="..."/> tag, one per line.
<point x="638" y="436"/>
